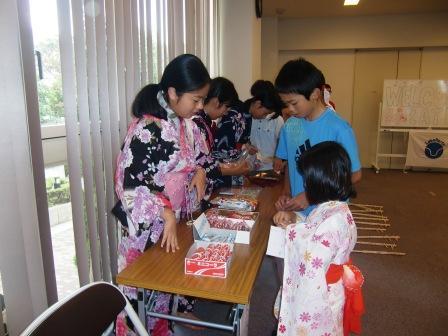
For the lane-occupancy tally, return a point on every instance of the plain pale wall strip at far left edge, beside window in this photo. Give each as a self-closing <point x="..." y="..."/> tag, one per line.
<point x="20" y="254"/>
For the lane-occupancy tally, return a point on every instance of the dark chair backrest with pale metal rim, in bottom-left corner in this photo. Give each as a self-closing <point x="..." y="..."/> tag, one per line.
<point x="88" y="311"/>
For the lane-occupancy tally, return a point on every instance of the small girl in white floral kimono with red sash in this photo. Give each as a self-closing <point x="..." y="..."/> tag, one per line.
<point x="321" y="289"/>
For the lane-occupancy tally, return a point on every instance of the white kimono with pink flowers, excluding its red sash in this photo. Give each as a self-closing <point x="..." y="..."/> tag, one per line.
<point x="309" y="306"/>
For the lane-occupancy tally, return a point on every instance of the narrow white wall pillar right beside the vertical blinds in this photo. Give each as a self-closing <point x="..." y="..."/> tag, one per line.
<point x="240" y="44"/>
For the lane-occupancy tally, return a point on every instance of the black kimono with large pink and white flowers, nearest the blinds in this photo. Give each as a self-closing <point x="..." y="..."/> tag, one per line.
<point x="154" y="150"/>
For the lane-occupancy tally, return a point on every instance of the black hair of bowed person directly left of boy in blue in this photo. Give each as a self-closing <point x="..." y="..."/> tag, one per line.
<point x="265" y="92"/>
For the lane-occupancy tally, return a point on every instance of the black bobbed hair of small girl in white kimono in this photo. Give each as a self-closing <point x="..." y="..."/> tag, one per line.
<point x="326" y="171"/>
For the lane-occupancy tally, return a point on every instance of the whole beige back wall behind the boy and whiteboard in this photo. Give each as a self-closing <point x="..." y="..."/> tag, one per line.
<point x="350" y="51"/>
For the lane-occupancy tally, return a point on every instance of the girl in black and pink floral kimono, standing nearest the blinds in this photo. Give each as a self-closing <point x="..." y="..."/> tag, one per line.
<point x="162" y="162"/>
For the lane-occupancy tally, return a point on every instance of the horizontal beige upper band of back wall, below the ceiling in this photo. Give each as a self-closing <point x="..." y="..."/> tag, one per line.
<point x="392" y="31"/>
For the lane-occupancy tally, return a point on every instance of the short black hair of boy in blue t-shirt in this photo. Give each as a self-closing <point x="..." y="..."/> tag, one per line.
<point x="299" y="76"/>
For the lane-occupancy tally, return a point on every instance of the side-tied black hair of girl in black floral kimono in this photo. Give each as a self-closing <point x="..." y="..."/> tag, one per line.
<point x="185" y="73"/>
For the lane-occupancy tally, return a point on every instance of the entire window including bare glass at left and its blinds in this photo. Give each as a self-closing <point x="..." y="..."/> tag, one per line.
<point x="109" y="50"/>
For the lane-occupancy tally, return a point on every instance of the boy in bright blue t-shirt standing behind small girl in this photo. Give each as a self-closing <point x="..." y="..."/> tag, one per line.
<point x="300" y="86"/>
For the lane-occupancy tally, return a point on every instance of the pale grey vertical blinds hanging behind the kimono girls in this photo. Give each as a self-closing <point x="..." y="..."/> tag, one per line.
<point x="109" y="50"/>
